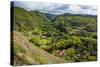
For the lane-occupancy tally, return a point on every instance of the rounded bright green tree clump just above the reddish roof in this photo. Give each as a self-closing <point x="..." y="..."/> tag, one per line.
<point x="71" y="41"/>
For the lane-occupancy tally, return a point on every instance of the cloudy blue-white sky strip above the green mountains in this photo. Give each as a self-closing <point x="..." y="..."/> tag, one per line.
<point x="57" y="8"/>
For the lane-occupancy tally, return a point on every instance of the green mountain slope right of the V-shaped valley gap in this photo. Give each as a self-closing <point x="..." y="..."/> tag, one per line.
<point x="75" y="21"/>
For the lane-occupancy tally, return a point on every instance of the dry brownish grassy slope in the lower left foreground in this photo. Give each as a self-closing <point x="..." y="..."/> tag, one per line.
<point x="27" y="53"/>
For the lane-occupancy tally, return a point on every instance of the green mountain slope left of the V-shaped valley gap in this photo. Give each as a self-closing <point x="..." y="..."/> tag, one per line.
<point x="25" y="21"/>
